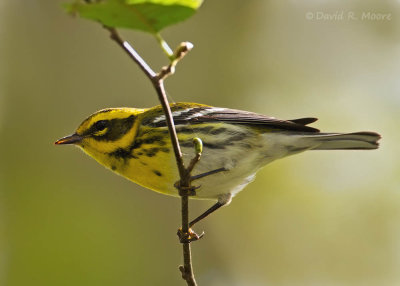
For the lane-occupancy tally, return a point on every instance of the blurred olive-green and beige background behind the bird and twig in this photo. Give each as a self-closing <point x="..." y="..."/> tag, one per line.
<point x="318" y="218"/>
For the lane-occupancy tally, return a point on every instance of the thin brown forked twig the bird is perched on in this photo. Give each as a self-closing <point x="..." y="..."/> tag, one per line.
<point x="184" y="185"/>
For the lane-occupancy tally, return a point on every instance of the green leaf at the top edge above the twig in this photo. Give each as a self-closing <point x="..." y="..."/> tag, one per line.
<point x="146" y="15"/>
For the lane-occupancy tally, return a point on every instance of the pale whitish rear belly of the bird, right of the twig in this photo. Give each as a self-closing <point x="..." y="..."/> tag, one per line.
<point x="241" y="163"/>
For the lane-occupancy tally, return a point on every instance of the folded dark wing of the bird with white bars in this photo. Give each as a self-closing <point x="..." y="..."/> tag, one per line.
<point x="202" y="114"/>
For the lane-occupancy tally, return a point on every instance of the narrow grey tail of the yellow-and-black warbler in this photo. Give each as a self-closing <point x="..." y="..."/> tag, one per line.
<point x="344" y="141"/>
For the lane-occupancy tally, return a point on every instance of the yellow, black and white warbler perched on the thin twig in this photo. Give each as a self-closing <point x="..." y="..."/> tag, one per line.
<point x="135" y="144"/>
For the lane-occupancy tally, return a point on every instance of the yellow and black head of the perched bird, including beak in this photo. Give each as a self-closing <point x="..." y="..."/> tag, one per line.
<point x="105" y="131"/>
